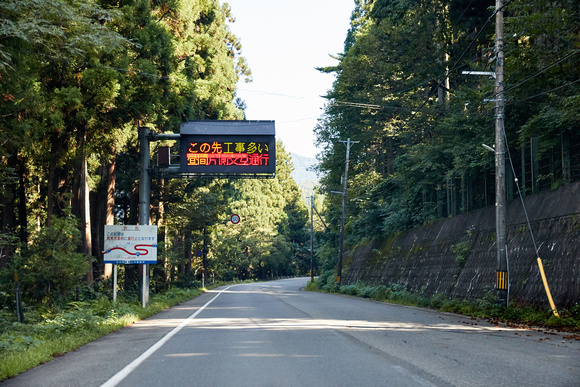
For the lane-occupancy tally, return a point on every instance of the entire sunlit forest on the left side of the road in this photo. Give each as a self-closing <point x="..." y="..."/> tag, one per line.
<point x="77" y="80"/>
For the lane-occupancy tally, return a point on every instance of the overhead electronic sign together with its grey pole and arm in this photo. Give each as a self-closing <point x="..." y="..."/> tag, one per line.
<point x="228" y="149"/>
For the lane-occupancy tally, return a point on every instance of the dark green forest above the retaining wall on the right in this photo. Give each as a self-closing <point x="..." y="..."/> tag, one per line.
<point x="420" y="121"/>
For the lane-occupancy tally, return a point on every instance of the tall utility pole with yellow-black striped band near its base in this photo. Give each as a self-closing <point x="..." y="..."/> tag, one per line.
<point x="500" y="187"/>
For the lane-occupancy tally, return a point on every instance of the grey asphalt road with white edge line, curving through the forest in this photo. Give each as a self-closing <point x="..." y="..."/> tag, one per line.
<point x="274" y="334"/>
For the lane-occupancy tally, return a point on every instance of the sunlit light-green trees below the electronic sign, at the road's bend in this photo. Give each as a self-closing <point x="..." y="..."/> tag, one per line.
<point x="269" y="241"/>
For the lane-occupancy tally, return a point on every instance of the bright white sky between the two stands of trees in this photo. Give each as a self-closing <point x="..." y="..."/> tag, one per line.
<point x="283" y="42"/>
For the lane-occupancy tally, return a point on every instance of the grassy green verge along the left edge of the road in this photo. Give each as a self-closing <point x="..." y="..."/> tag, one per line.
<point x="52" y="332"/>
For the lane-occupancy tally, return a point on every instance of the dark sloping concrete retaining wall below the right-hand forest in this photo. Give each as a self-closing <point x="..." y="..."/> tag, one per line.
<point x="457" y="256"/>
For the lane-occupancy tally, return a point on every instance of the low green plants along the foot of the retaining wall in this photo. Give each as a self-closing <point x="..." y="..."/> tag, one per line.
<point x="569" y="320"/>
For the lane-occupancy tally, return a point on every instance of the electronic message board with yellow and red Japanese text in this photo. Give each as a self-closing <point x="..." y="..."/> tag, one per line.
<point x="228" y="148"/>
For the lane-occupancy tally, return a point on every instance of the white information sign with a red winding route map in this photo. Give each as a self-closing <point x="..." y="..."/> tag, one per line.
<point x="130" y="244"/>
